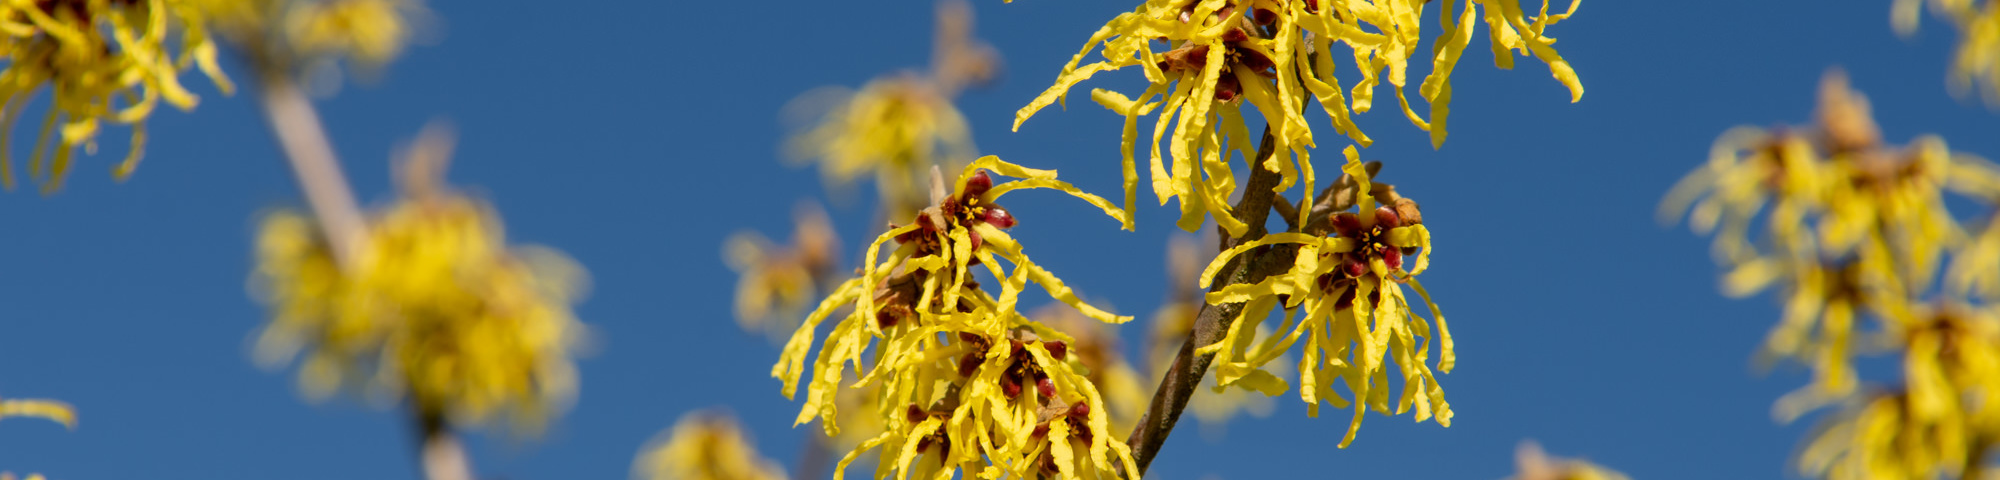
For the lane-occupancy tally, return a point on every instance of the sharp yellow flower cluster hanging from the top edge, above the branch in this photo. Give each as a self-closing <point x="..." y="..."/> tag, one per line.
<point x="1275" y="55"/>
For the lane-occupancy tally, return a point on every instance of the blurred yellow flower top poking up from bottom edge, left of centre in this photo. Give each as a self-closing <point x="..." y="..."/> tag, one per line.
<point x="705" y="447"/>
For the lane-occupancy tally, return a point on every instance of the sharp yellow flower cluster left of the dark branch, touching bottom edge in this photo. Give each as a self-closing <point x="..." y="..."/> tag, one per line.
<point x="967" y="383"/>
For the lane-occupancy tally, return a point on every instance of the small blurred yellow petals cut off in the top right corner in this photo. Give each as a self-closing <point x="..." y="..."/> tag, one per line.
<point x="1979" y="45"/>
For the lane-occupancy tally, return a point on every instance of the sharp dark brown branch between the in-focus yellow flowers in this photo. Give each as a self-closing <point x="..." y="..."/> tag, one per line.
<point x="1215" y="321"/>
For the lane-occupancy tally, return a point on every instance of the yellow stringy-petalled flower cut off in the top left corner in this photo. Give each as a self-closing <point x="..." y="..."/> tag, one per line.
<point x="103" y="61"/>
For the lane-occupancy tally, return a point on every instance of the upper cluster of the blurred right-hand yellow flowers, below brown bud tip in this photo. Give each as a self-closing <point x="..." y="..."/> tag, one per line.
<point x="1851" y="227"/>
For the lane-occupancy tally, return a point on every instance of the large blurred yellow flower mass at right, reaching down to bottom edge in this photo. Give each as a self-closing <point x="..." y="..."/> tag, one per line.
<point x="1857" y="233"/>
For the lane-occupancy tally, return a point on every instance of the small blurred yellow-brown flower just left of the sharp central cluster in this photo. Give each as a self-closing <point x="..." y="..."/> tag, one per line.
<point x="779" y="281"/>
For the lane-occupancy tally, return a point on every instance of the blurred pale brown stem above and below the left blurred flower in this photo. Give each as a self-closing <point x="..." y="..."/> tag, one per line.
<point x="313" y="161"/>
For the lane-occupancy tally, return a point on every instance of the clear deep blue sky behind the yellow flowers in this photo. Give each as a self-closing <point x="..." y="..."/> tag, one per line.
<point x="639" y="135"/>
